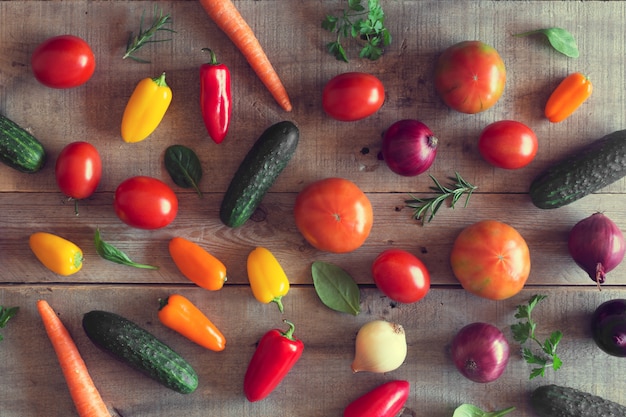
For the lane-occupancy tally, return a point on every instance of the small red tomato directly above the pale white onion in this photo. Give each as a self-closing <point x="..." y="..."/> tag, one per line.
<point x="401" y="276"/>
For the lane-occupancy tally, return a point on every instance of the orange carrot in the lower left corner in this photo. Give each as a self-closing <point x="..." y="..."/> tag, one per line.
<point x="82" y="389"/>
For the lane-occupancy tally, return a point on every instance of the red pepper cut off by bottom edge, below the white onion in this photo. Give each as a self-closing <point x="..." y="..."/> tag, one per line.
<point x="386" y="400"/>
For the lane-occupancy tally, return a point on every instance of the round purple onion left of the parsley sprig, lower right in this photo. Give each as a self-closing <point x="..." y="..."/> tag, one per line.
<point x="480" y="352"/>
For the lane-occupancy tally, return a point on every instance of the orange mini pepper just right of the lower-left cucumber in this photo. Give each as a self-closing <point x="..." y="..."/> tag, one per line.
<point x="181" y="315"/>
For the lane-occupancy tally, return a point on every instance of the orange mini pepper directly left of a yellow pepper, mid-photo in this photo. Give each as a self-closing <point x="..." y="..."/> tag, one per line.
<point x="197" y="265"/>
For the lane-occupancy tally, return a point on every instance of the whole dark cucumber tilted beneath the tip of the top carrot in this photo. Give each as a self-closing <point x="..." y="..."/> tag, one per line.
<point x="258" y="171"/>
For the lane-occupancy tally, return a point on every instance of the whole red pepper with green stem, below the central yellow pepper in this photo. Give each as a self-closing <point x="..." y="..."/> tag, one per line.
<point x="275" y="355"/>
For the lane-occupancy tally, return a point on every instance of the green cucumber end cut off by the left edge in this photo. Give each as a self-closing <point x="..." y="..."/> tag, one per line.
<point x="19" y="149"/>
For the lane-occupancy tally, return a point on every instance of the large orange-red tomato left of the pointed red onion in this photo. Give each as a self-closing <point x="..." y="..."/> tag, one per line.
<point x="491" y="260"/>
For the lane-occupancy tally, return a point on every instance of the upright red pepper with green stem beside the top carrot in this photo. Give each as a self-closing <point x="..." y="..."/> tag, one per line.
<point x="215" y="97"/>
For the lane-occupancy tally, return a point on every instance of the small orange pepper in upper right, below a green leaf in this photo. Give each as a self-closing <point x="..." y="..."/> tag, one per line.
<point x="567" y="97"/>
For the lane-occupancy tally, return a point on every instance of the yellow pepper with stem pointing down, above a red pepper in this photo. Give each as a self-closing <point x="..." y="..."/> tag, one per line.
<point x="268" y="280"/>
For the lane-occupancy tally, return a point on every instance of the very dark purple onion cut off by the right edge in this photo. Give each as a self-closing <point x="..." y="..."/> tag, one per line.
<point x="608" y="327"/>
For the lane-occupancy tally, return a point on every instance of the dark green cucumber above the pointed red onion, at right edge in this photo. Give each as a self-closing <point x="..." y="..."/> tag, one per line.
<point x="586" y="171"/>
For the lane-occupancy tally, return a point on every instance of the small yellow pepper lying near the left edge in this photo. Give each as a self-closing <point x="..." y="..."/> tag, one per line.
<point x="56" y="253"/>
